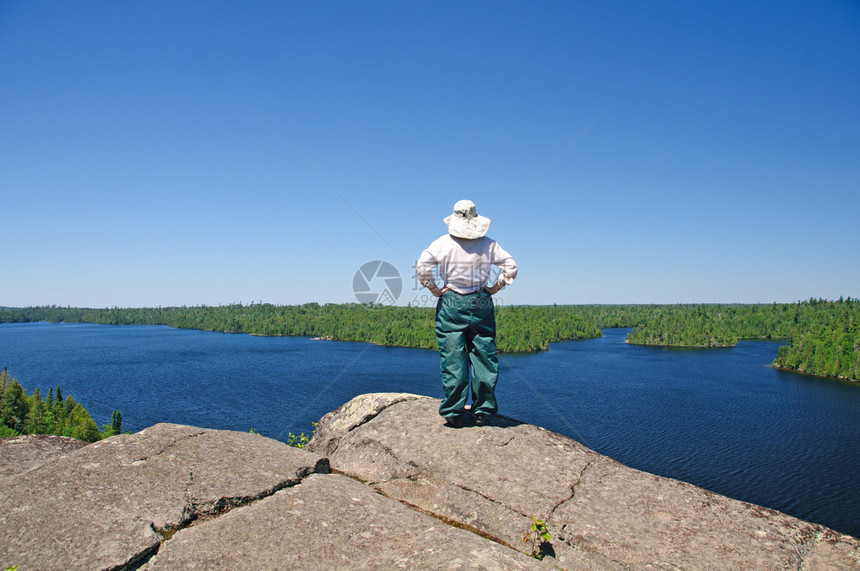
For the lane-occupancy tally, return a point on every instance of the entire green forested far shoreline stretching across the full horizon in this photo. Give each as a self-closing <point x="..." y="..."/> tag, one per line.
<point x="823" y="336"/>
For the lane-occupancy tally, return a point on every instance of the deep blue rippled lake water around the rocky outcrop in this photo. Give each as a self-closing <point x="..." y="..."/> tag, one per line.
<point x="722" y="419"/>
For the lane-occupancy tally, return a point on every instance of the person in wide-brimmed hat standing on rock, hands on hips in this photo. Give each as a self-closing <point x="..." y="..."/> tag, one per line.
<point x="465" y="315"/>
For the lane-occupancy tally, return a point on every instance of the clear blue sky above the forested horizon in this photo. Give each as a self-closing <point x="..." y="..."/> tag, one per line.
<point x="689" y="152"/>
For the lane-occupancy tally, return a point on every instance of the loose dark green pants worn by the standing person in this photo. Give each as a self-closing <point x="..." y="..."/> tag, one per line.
<point x="466" y="332"/>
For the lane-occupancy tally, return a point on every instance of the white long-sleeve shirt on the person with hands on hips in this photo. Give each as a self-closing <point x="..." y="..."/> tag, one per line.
<point x="464" y="265"/>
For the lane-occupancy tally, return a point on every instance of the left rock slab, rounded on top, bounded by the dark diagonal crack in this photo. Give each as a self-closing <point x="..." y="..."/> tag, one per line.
<point x="110" y="504"/>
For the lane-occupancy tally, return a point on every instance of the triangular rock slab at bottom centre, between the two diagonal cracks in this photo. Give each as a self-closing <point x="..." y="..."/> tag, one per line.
<point x="332" y="522"/>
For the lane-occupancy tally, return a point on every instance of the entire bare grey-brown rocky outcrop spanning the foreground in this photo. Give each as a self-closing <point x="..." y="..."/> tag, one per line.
<point x="403" y="491"/>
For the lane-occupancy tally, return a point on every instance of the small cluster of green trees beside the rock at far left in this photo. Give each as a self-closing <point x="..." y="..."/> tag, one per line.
<point x="21" y="413"/>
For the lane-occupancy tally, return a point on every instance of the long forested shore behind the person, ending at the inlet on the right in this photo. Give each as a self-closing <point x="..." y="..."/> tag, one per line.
<point x="521" y="329"/>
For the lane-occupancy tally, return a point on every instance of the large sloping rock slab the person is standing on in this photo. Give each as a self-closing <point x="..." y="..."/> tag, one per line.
<point x="600" y="513"/>
